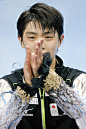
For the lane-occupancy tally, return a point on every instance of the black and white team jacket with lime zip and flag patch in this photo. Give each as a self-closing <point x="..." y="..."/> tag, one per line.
<point x="62" y="107"/>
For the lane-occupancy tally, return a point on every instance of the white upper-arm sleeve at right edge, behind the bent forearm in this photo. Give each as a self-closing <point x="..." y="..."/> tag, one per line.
<point x="79" y="86"/>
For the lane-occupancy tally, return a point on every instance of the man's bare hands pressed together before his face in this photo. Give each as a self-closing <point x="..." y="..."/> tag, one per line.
<point x="33" y="62"/>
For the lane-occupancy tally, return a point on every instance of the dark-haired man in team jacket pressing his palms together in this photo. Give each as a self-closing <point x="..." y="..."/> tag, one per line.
<point x="44" y="94"/>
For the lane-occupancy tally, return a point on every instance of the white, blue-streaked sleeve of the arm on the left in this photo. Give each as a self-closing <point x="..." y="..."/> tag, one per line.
<point x="12" y="106"/>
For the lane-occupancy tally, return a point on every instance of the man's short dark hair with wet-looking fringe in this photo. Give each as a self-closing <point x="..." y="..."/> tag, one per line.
<point x="46" y="15"/>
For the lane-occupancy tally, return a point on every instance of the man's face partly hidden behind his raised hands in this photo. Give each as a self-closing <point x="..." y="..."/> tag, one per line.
<point x="34" y="32"/>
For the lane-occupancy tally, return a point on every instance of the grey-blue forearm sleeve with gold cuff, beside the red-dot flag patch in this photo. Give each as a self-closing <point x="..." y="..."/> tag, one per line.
<point x="66" y="98"/>
